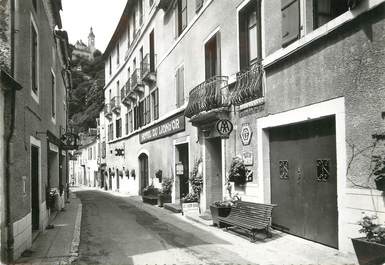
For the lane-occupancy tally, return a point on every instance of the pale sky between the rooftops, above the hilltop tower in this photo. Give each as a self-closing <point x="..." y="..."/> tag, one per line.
<point x="103" y="16"/>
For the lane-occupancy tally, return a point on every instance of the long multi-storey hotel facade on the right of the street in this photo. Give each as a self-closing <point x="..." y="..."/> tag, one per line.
<point x="297" y="79"/>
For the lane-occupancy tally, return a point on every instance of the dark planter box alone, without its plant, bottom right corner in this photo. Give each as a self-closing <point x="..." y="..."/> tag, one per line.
<point x="368" y="253"/>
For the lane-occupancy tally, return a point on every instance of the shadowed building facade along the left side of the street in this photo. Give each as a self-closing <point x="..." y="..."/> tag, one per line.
<point x="35" y="119"/>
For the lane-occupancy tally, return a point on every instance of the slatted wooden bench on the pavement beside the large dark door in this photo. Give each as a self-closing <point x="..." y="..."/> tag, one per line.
<point x="249" y="216"/>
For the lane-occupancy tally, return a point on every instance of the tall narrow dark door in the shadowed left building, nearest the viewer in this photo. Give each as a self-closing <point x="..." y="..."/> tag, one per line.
<point x="35" y="186"/>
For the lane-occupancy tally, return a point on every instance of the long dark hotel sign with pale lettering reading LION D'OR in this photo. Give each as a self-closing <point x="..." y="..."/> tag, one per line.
<point x="167" y="127"/>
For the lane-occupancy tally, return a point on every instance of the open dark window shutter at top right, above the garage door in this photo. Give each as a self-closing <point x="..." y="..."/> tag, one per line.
<point x="290" y="21"/>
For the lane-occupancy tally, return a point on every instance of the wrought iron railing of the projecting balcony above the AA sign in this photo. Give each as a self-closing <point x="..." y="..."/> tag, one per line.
<point x="209" y="95"/>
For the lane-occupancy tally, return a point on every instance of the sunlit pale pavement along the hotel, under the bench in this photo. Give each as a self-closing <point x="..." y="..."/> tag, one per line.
<point x="282" y="248"/>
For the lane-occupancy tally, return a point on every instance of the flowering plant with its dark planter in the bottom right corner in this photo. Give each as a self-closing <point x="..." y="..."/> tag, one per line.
<point x="371" y="248"/>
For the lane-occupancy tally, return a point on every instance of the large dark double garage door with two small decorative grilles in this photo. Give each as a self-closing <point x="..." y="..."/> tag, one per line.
<point x="304" y="180"/>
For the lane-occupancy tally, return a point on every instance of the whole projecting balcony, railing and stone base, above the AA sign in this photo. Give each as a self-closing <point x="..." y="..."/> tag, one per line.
<point x="208" y="100"/>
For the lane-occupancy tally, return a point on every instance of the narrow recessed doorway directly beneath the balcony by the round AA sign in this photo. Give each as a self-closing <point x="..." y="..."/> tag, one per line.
<point x="214" y="185"/>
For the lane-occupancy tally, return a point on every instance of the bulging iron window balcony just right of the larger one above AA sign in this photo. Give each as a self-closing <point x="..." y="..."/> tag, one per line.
<point x="248" y="86"/>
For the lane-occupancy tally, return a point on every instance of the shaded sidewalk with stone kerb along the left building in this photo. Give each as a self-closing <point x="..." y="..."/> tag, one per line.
<point x="60" y="244"/>
